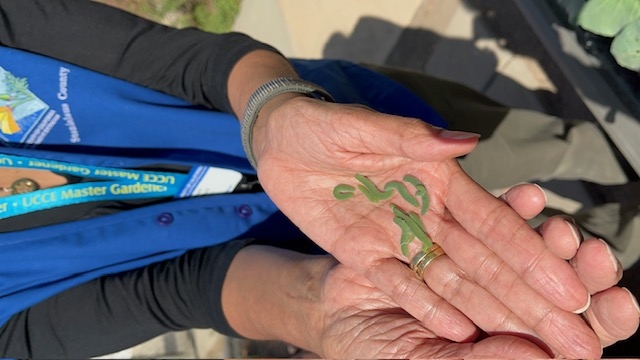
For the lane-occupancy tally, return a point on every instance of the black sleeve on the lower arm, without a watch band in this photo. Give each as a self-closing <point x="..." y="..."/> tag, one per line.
<point x="117" y="311"/>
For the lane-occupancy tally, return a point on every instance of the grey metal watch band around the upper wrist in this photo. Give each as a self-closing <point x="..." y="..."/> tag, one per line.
<point x="266" y="92"/>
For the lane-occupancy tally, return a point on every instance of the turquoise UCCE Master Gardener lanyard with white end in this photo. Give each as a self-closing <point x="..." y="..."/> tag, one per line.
<point x="112" y="184"/>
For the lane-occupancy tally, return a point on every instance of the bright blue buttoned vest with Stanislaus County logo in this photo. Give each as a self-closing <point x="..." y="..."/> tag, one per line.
<point x="57" y="111"/>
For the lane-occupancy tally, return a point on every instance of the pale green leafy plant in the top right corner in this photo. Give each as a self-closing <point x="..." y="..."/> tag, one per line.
<point x="617" y="19"/>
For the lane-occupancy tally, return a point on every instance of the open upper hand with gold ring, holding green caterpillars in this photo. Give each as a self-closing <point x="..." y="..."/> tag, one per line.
<point x="306" y="147"/>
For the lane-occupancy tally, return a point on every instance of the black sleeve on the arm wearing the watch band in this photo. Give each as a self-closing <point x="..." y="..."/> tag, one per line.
<point x="189" y="63"/>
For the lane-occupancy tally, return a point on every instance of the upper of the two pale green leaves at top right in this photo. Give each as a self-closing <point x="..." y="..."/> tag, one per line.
<point x="608" y="17"/>
